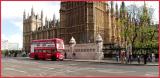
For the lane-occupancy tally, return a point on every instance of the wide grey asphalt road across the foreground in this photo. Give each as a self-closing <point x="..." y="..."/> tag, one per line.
<point x="21" y="66"/>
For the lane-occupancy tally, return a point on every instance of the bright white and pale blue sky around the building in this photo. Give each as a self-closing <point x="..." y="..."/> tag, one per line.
<point x="12" y="15"/>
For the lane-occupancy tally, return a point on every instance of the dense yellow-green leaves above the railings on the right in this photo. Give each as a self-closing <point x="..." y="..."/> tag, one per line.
<point x="140" y="34"/>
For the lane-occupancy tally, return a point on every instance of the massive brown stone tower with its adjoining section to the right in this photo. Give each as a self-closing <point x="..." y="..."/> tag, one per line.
<point x="85" y="20"/>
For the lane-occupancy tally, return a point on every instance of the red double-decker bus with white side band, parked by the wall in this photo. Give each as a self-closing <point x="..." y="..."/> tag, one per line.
<point x="47" y="49"/>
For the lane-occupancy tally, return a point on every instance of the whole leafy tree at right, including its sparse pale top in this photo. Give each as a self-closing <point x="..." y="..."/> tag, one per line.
<point x="137" y="28"/>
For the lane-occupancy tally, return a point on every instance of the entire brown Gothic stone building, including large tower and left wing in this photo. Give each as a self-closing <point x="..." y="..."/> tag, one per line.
<point x="82" y="20"/>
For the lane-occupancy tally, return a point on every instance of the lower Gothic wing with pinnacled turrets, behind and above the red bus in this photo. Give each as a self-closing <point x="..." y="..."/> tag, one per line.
<point x="34" y="29"/>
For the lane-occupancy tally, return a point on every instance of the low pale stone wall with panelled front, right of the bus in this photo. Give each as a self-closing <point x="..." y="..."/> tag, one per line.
<point x="82" y="51"/>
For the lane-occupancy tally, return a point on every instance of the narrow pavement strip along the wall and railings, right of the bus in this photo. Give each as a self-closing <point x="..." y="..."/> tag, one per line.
<point x="112" y="61"/>
